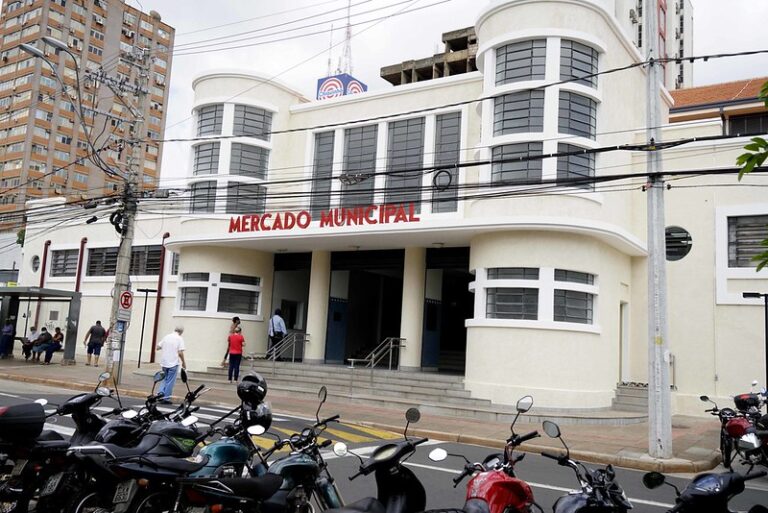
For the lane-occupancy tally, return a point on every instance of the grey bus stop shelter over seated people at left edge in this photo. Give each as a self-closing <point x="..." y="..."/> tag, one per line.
<point x="13" y="296"/>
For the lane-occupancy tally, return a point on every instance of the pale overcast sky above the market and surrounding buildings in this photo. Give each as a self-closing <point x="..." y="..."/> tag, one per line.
<point x="736" y="25"/>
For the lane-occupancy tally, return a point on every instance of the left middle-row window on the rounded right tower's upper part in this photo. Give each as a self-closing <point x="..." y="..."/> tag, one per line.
<point x="518" y="112"/>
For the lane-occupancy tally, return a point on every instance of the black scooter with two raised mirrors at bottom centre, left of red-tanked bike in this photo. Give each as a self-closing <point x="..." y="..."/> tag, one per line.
<point x="398" y="488"/>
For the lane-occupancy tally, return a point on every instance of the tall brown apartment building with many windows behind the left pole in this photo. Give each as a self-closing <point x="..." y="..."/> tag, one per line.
<point x="41" y="128"/>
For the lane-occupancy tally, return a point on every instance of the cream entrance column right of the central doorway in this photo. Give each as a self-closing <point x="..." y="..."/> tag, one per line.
<point x="412" y="316"/>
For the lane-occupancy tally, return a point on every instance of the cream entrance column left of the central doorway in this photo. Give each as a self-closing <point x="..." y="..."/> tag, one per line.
<point x="317" y="307"/>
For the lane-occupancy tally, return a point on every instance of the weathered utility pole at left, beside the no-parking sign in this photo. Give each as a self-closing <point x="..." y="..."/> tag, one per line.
<point x="117" y="325"/>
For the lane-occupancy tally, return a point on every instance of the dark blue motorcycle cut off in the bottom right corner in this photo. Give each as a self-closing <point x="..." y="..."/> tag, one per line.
<point x="707" y="493"/>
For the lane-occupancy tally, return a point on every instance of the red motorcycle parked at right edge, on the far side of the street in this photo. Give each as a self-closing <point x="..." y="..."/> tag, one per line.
<point x="743" y="433"/>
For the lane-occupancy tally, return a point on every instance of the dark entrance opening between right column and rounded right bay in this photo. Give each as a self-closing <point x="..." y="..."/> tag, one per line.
<point x="448" y="304"/>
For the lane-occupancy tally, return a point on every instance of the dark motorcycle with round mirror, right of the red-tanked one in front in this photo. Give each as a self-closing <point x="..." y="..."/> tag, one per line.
<point x="600" y="492"/>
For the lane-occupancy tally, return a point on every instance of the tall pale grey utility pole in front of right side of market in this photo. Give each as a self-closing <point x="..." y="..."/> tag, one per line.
<point x="659" y="395"/>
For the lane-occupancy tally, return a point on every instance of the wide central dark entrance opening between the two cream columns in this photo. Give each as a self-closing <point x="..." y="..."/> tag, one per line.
<point x="365" y="303"/>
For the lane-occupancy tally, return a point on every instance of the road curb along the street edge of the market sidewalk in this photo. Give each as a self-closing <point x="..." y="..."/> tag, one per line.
<point x="633" y="461"/>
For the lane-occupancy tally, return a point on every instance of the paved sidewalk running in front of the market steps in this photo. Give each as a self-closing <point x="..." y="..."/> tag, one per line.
<point x="695" y="440"/>
